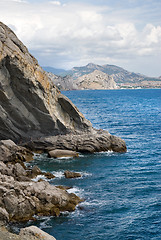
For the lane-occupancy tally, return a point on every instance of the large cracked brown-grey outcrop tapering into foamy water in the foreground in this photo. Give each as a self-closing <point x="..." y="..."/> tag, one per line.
<point x="23" y="200"/>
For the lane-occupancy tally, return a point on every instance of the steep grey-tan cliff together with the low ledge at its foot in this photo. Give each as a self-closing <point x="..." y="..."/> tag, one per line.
<point x="31" y="107"/>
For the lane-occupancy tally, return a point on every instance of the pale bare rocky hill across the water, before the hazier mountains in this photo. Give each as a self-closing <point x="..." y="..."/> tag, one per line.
<point x="96" y="80"/>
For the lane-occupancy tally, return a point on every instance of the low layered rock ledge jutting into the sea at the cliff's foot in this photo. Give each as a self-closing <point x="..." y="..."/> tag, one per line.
<point x="99" y="141"/>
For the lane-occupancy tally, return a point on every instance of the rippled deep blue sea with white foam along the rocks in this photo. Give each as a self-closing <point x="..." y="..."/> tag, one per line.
<point x="122" y="192"/>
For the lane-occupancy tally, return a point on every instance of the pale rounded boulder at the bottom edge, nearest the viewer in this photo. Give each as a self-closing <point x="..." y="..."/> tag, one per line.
<point x="34" y="233"/>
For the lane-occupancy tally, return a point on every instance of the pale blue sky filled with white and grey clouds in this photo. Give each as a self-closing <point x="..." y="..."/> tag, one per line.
<point x="68" y="33"/>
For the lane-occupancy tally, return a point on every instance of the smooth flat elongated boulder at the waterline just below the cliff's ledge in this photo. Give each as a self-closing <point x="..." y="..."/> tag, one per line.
<point x="58" y="153"/>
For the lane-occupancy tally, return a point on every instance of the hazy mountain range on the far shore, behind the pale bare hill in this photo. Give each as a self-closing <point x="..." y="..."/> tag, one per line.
<point x="122" y="77"/>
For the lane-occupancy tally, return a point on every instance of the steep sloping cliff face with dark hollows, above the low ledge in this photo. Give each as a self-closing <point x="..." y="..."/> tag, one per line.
<point x="30" y="105"/>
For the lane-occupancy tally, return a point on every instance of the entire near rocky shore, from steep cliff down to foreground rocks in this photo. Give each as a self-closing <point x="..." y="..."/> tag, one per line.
<point x="35" y="116"/>
